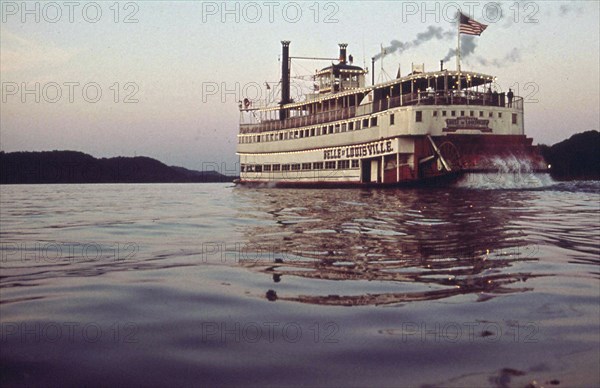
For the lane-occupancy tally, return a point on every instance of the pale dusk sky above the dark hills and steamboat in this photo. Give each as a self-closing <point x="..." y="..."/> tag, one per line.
<point x="182" y="66"/>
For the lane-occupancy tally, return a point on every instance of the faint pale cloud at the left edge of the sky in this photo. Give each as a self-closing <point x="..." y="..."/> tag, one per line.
<point x="19" y="53"/>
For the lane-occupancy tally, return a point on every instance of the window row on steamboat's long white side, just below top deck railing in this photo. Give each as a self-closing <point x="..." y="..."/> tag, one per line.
<point x="309" y="132"/>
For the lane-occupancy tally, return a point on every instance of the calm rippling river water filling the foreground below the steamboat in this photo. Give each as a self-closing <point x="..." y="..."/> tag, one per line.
<point x="211" y="284"/>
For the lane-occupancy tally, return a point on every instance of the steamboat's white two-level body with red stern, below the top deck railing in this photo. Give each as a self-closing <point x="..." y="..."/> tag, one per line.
<point x="397" y="149"/>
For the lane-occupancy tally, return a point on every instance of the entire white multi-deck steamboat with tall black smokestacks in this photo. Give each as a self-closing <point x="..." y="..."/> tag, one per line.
<point x="425" y="127"/>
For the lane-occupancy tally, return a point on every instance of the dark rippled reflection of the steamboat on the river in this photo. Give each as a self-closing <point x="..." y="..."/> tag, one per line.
<point x="412" y="245"/>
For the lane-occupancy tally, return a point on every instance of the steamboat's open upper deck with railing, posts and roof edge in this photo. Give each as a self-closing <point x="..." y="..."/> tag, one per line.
<point x="432" y="88"/>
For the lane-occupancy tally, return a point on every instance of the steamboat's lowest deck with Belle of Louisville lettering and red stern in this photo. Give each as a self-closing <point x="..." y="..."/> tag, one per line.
<point x="397" y="160"/>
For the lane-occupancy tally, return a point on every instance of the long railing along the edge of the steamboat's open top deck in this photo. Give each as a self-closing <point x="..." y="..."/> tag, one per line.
<point x="468" y="98"/>
